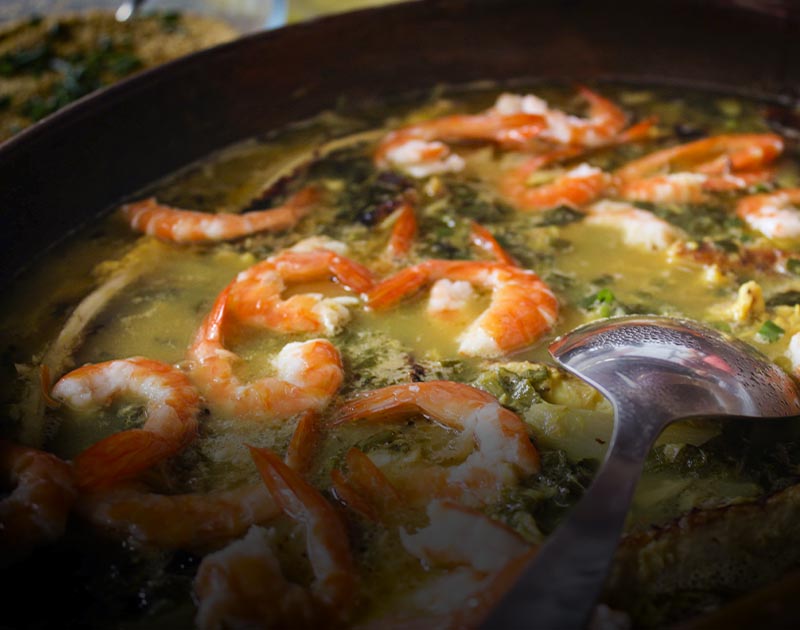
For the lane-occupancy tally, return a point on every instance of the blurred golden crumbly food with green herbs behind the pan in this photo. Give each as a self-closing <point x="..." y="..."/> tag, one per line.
<point x="47" y="62"/>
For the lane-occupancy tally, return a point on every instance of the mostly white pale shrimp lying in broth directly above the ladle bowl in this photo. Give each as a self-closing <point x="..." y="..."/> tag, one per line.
<point x="639" y="228"/>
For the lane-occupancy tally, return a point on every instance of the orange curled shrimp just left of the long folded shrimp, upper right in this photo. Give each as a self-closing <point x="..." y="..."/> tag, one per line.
<point x="574" y="188"/>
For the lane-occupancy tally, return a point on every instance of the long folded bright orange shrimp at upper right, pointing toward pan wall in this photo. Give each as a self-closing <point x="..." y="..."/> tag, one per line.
<point x="687" y="172"/>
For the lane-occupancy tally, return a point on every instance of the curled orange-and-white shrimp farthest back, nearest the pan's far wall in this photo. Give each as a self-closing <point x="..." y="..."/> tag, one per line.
<point x="605" y="121"/>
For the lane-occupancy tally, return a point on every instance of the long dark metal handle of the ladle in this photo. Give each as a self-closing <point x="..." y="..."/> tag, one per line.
<point x="559" y="589"/>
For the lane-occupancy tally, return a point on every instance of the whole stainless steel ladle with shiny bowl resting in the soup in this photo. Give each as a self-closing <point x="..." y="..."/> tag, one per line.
<point x="654" y="370"/>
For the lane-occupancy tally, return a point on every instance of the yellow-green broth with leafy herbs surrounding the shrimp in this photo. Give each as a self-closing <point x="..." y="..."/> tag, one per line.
<point x="593" y="270"/>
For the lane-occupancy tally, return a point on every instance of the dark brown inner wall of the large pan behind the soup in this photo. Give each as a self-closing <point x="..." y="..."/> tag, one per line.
<point x="85" y="159"/>
